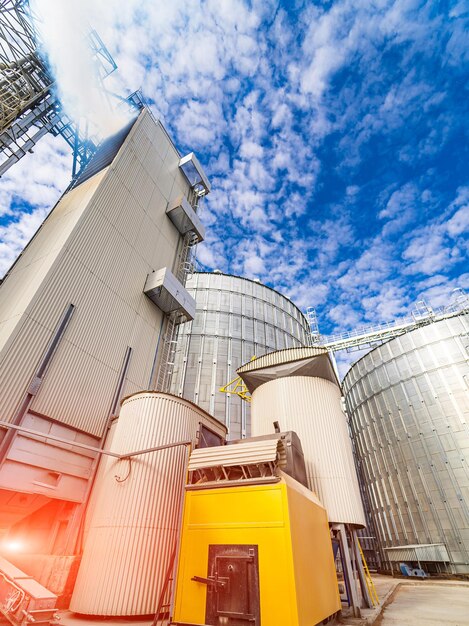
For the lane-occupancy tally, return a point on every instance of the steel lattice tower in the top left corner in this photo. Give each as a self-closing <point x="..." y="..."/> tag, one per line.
<point x="29" y="106"/>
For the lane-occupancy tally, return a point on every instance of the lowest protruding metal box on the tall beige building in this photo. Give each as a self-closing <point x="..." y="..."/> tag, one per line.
<point x="164" y="289"/>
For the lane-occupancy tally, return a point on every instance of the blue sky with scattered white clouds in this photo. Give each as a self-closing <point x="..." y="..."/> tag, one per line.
<point x="334" y="135"/>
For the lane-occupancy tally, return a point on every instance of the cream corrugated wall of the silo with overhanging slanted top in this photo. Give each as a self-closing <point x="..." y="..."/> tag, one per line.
<point x="312" y="408"/>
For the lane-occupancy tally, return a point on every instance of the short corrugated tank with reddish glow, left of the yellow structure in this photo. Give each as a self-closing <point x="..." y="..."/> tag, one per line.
<point x="134" y="513"/>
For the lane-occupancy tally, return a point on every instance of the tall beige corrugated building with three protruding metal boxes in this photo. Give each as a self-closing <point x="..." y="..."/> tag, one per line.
<point x="86" y="314"/>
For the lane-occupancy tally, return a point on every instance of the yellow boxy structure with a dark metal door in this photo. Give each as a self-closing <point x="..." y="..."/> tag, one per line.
<point x="255" y="544"/>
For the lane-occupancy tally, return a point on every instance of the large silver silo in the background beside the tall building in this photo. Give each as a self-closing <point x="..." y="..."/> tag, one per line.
<point x="236" y="319"/>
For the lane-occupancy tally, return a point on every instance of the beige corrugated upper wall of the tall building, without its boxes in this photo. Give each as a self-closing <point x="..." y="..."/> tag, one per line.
<point x="95" y="251"/>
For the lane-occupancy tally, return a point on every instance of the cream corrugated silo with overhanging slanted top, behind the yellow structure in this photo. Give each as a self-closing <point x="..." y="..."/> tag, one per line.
<point x="299" y="390"/>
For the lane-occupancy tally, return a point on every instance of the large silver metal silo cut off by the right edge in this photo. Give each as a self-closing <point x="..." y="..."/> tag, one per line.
<point x="409" y="406"/>
